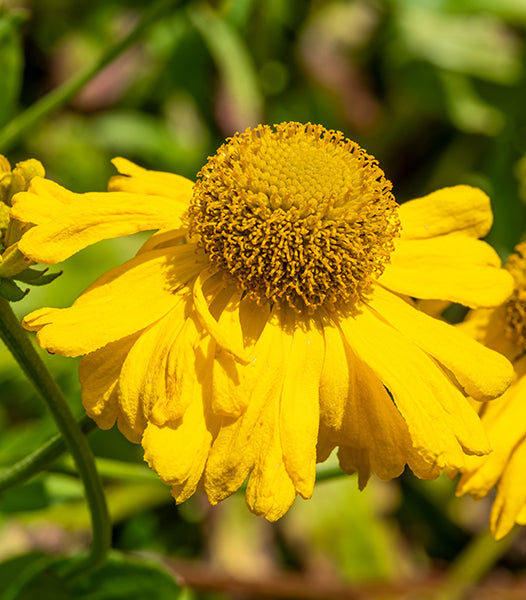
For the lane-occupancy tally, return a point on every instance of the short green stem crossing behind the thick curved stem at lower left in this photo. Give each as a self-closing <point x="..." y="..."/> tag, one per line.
<point x="38" y="460"/>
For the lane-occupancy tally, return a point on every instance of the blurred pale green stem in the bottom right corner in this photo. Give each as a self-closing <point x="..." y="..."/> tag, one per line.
<point x="475" y="561"/>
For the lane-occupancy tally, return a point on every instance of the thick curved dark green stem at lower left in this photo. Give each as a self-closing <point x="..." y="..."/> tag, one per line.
<point x="18" y="342"/>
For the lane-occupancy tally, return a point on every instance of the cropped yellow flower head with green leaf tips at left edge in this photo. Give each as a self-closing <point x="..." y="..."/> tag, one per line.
<point x="13" y="264"/>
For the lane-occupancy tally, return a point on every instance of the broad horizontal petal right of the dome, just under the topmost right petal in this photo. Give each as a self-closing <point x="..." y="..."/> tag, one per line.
<point x="452" y="267"/>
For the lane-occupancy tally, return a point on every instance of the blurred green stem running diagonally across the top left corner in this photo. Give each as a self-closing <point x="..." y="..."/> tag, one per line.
<point x="59" y="96"/>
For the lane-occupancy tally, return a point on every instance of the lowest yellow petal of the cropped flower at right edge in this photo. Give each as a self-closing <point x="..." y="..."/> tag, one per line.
<point x="511" y="495"/>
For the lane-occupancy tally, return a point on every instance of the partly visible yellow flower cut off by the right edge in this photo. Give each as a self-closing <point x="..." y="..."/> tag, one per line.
<point x="504" y="329"/>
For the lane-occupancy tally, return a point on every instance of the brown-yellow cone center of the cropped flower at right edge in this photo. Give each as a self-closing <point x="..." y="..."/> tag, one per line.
<point x="516" y="306"/>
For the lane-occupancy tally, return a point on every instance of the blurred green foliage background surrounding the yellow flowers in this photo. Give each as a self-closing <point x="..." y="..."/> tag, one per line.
<point x="435" y="89"/>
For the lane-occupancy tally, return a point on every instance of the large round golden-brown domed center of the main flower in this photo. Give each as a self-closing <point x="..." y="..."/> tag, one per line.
<point x="296" y="214"/>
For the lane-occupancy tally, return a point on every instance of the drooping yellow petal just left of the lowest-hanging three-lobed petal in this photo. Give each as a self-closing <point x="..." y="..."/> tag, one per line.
<point x="179" y="454"/>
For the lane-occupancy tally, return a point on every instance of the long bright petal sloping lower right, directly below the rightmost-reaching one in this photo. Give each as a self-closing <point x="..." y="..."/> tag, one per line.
<point x="440" y="421"/>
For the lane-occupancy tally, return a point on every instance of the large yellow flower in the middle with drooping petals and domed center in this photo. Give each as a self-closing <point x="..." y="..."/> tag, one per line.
<point x="270" y="319"/>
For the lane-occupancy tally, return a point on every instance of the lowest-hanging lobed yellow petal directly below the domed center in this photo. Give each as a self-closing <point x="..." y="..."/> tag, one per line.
<point x="253" y="443"/>
